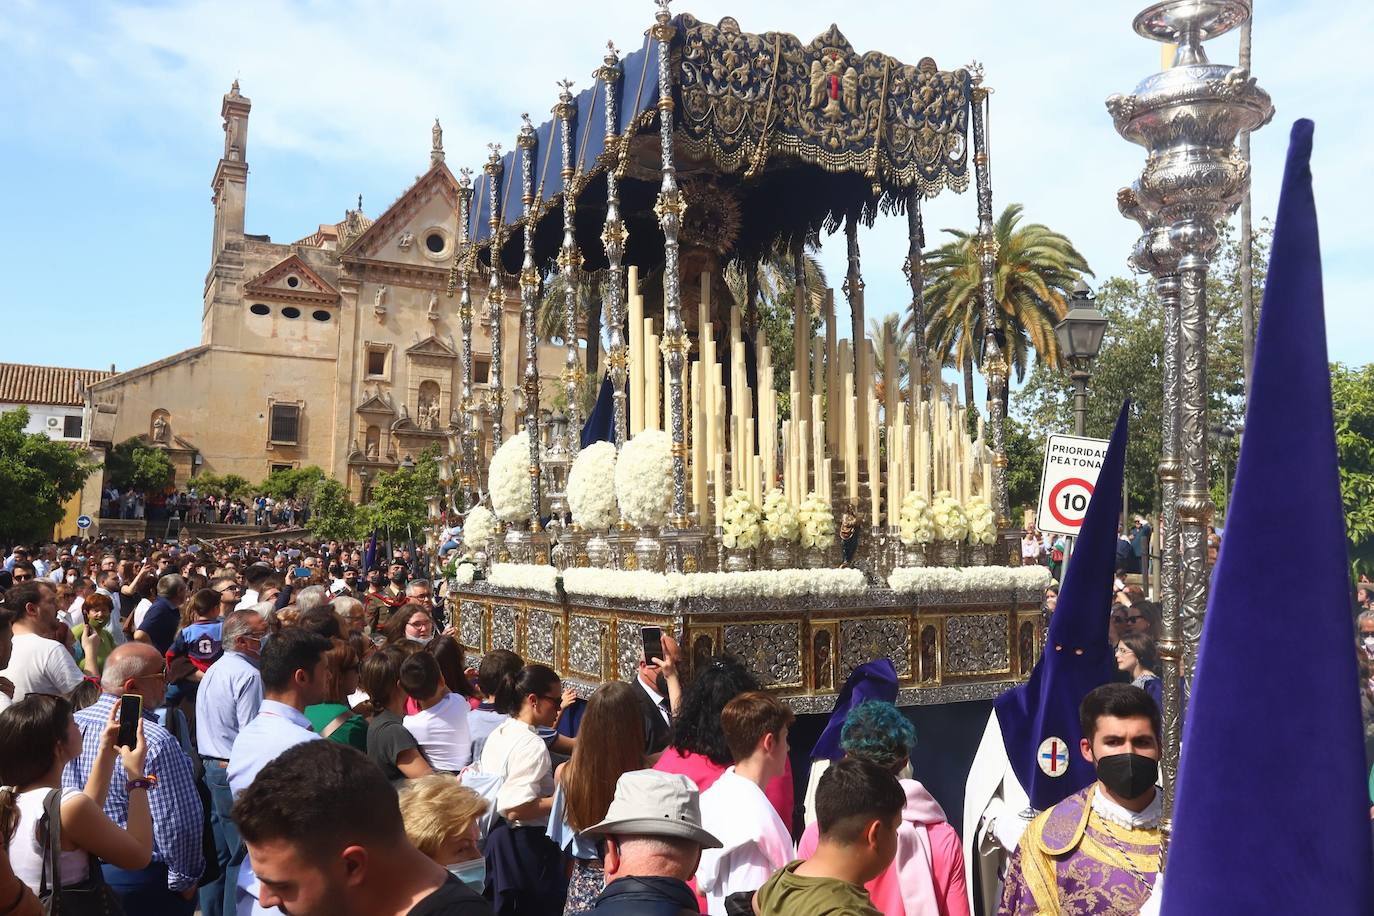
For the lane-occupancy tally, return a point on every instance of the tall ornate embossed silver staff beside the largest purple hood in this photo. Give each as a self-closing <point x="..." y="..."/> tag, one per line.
<point x="1188" y="120"/>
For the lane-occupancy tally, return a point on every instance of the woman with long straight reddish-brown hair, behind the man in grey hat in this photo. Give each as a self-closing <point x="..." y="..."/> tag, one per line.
<point x="611" y="742"/>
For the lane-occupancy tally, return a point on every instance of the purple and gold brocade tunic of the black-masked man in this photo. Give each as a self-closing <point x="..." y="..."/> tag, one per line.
<point x="1077" y="863"/>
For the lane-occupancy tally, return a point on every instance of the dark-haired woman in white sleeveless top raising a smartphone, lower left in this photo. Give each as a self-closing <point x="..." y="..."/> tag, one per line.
<point x="38" y="740"/>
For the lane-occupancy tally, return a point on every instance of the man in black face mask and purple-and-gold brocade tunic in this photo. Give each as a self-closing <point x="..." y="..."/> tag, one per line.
<point x="1099" y="851"/>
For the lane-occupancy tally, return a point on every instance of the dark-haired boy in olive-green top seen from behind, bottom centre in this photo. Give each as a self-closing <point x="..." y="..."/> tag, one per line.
<point x="859" y="808"/>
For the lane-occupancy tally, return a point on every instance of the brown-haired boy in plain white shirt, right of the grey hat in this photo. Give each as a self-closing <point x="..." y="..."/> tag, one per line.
<point x="755" y="843"/>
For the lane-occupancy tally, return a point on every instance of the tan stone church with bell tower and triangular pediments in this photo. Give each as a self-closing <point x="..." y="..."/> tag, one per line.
<point x="340" y="350"/>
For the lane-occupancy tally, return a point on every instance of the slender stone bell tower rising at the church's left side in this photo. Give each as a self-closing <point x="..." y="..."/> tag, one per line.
<point x="230" y="196"/>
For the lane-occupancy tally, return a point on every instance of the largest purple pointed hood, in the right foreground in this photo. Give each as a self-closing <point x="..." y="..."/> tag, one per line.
<point x="1273" y="804"/>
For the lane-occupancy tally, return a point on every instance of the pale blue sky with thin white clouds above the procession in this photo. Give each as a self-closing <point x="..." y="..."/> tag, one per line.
<point x="112" y="133"/>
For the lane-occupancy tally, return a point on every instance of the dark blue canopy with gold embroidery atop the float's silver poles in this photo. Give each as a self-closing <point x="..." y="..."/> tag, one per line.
<point x="787" y="137"/>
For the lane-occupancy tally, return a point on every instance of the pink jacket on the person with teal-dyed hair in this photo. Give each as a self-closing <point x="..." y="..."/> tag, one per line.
<point x="927" y="877"/>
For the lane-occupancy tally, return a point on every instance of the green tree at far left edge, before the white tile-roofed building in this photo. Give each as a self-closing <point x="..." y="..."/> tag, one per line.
<point x="38" y="477"/>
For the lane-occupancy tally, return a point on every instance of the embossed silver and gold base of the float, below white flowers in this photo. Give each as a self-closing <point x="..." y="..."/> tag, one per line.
<point x="946" y="648"/>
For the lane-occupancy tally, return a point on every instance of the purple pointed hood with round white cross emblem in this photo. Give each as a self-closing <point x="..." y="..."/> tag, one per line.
<point x="1041" y="718"/>
